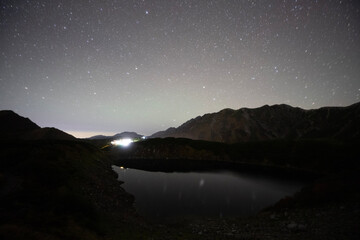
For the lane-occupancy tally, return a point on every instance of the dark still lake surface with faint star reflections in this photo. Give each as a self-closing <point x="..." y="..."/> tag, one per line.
<point x="159" y="194"/>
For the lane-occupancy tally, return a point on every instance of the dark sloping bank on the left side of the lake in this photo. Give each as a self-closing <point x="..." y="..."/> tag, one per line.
<point x="59" y="190"/>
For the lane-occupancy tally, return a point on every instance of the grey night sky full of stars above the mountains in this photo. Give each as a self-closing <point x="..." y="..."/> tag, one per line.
<point x="108" y="66"/>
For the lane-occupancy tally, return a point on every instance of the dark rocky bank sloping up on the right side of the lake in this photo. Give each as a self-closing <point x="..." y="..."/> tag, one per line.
<point x="325" y="209"/>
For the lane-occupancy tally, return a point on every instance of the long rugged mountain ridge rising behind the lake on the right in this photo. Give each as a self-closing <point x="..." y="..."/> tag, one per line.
<point x="270" y="123"/>
